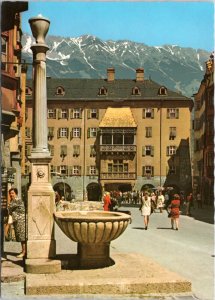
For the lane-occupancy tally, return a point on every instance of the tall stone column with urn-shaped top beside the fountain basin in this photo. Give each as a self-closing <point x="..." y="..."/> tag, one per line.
<point x="41" y="245"/>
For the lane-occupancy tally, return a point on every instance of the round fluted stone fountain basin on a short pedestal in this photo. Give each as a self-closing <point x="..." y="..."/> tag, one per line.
<point x="93" y="231"/>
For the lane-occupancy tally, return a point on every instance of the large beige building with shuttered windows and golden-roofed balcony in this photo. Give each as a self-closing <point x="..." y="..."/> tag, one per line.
<point x="113" y="134"/>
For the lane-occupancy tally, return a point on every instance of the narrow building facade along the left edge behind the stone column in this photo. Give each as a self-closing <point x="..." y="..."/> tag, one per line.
<point x="12" y="91"/>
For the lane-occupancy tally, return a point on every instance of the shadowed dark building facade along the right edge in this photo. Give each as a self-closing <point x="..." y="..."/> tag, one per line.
<point x="204" y="136"/>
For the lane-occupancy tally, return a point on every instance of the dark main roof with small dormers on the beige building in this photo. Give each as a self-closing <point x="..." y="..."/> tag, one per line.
<point x="117" y="90"/>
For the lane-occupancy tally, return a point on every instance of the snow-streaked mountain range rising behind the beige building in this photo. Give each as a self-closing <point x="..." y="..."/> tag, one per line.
<point x="180" y="69"/>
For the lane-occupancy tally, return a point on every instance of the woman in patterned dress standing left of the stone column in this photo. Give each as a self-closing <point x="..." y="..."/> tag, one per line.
<point x="17" y="211"/>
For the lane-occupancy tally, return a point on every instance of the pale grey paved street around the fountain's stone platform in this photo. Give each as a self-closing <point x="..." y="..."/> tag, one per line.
<point x="188" y="252"/>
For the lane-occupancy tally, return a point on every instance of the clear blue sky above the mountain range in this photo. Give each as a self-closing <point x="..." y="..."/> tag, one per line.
<point x="187" y="24"/>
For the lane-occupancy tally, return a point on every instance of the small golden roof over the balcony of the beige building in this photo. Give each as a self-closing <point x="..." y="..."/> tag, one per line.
<point x="118" y="117"/>
